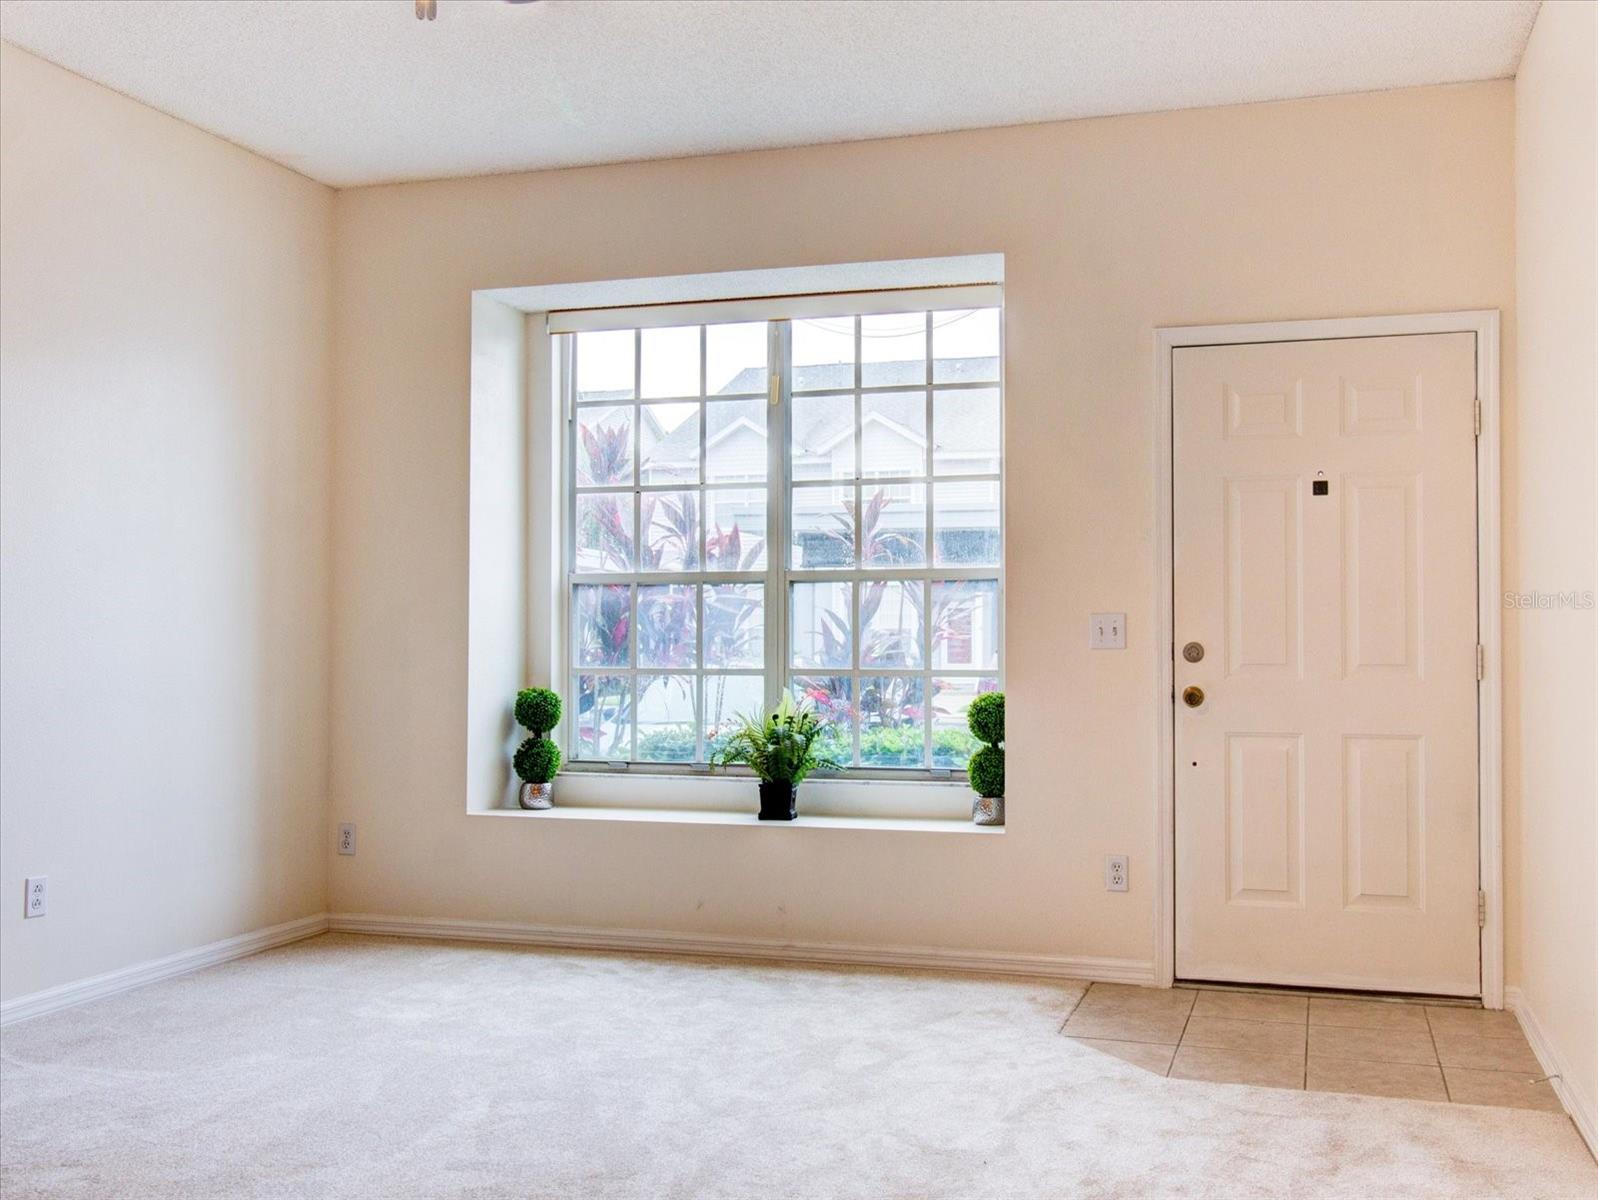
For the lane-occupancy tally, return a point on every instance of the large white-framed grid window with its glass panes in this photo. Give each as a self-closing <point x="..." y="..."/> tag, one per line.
<point x="805" y="503"/>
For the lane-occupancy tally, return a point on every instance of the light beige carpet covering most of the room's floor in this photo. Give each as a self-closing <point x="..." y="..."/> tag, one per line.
<point x="381" y="1068"/>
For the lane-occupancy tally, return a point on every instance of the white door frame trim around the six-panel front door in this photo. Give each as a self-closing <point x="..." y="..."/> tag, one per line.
<point x="1490" y="691"/>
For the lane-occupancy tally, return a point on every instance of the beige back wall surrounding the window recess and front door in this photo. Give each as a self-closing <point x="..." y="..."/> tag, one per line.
<point x="1381" y="204"/>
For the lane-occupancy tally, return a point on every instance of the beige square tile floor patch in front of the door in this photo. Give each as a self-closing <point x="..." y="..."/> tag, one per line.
<point x="1316" y="1043"/>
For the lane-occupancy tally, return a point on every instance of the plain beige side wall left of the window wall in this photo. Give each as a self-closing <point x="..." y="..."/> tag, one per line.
<point x="164" y="517"/>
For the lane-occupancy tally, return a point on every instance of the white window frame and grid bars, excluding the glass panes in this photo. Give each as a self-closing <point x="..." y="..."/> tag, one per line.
<point x="777" y="576"/>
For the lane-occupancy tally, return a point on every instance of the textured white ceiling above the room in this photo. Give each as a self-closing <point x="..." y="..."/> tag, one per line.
<point x="360" y="92"/>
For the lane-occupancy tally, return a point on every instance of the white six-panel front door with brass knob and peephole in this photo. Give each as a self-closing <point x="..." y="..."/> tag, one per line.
<point x="1326" y="562"/>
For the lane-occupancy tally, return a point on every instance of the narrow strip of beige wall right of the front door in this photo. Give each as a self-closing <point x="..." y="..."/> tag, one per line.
<point x="1556" y="785"/>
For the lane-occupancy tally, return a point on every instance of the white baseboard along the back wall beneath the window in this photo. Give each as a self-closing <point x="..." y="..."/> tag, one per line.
<point x="721" y="947"/>
